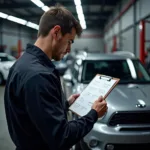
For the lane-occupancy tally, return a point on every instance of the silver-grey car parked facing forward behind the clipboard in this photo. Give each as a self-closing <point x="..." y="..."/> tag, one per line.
<point x="126" y="124"/>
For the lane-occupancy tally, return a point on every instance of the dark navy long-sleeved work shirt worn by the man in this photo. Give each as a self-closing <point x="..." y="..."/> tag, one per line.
<point x="36" y="109"/>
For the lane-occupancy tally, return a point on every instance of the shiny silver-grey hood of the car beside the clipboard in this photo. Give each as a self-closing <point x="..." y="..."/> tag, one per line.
<point x="128" y="97"/>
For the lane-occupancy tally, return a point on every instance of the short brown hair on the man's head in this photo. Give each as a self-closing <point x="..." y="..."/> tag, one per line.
<point x="58" y="15"/>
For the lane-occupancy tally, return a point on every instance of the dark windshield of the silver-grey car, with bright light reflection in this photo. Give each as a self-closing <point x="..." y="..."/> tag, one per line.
<point x="129" y="71"/>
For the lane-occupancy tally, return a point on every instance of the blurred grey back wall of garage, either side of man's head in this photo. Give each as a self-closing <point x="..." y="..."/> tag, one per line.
<point x="91" y="40"/>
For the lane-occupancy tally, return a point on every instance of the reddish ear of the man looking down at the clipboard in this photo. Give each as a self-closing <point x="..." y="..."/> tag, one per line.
<point x="56" y="31"/>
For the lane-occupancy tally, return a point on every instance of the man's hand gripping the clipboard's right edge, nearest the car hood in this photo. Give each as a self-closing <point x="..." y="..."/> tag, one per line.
<point x="100" y="106"/>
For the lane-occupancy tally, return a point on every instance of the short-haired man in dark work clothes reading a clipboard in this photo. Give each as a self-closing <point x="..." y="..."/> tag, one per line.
<point x="35" y="107"/>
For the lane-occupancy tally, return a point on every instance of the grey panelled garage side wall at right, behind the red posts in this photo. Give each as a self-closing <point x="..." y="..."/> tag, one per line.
<point x="126" y="28"/>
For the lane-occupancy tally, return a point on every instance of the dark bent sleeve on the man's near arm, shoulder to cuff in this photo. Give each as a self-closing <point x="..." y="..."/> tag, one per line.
<point x="44" y="107"/>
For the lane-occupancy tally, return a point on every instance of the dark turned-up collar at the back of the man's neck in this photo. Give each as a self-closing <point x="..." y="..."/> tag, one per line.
<point x="36" y="51"/>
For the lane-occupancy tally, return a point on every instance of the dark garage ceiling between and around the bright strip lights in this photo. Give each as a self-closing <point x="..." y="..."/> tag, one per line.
<point x="96" y="12"/>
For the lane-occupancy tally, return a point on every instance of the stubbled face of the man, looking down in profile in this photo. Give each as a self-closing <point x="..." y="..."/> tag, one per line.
<point x="62" y="44"/>
